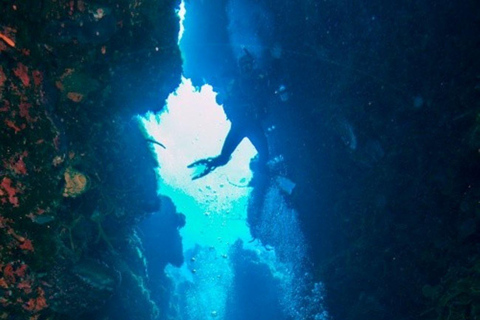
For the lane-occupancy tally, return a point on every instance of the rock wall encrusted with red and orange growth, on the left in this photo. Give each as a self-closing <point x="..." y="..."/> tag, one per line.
<point x="76" y="174"/>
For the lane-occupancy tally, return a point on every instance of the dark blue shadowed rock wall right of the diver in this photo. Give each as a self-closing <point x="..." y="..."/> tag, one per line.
<point x="381" y="136"/>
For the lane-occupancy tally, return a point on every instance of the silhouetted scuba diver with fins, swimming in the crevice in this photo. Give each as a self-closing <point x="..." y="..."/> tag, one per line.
<point x="245" y="102"/>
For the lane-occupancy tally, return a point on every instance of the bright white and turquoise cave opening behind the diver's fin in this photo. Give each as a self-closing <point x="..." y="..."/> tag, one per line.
<point x="193" y="126"/>
